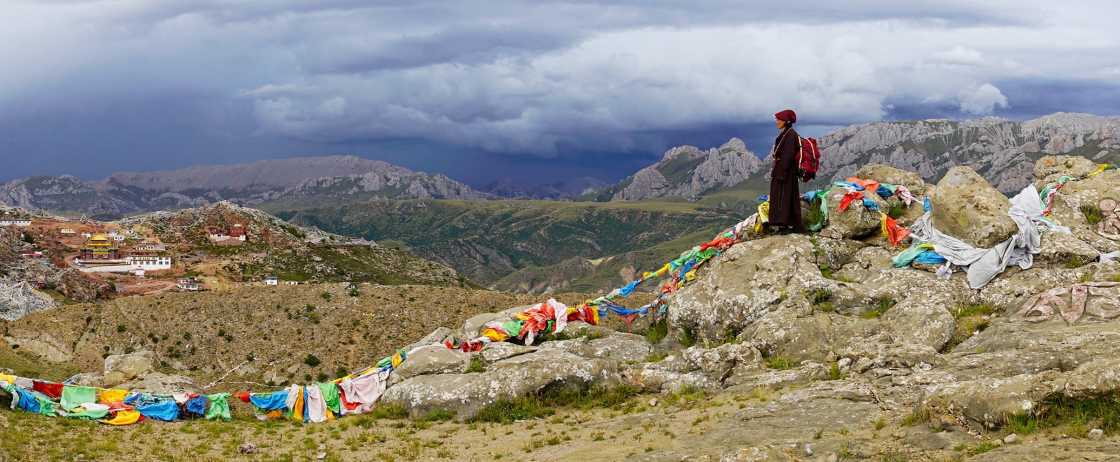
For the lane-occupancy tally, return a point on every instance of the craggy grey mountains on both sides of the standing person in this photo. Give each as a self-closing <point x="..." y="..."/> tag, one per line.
<point x="1002" y="151"/>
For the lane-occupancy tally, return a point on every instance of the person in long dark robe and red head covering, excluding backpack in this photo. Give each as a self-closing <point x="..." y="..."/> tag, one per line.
<point x="785" y="198"/>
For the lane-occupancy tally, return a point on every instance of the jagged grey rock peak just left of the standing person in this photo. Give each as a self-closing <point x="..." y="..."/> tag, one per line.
<point x="688" y="172"/>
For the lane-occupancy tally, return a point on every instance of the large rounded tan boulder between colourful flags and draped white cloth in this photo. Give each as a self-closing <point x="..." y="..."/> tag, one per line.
<point x="966" y="207"/>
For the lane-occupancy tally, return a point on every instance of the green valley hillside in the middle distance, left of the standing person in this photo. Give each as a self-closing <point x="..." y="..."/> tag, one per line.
<point x="489" y="241"/>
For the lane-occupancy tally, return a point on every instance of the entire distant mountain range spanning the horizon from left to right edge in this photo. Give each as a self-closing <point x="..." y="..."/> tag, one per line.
<point x="1001" y="150"/>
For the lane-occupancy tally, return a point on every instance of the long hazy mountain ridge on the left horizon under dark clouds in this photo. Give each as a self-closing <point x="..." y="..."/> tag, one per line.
<point x="294" y="179"/>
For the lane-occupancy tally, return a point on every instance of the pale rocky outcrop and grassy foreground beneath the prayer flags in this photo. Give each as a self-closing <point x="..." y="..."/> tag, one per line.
<point x="785" y="348"/>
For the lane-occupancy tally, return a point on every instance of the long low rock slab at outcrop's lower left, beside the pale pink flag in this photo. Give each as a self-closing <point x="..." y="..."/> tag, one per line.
<point x="465" y="394"/>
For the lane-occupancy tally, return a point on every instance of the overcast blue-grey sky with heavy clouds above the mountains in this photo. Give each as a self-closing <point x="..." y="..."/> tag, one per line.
<point x="535" y="90"/>
